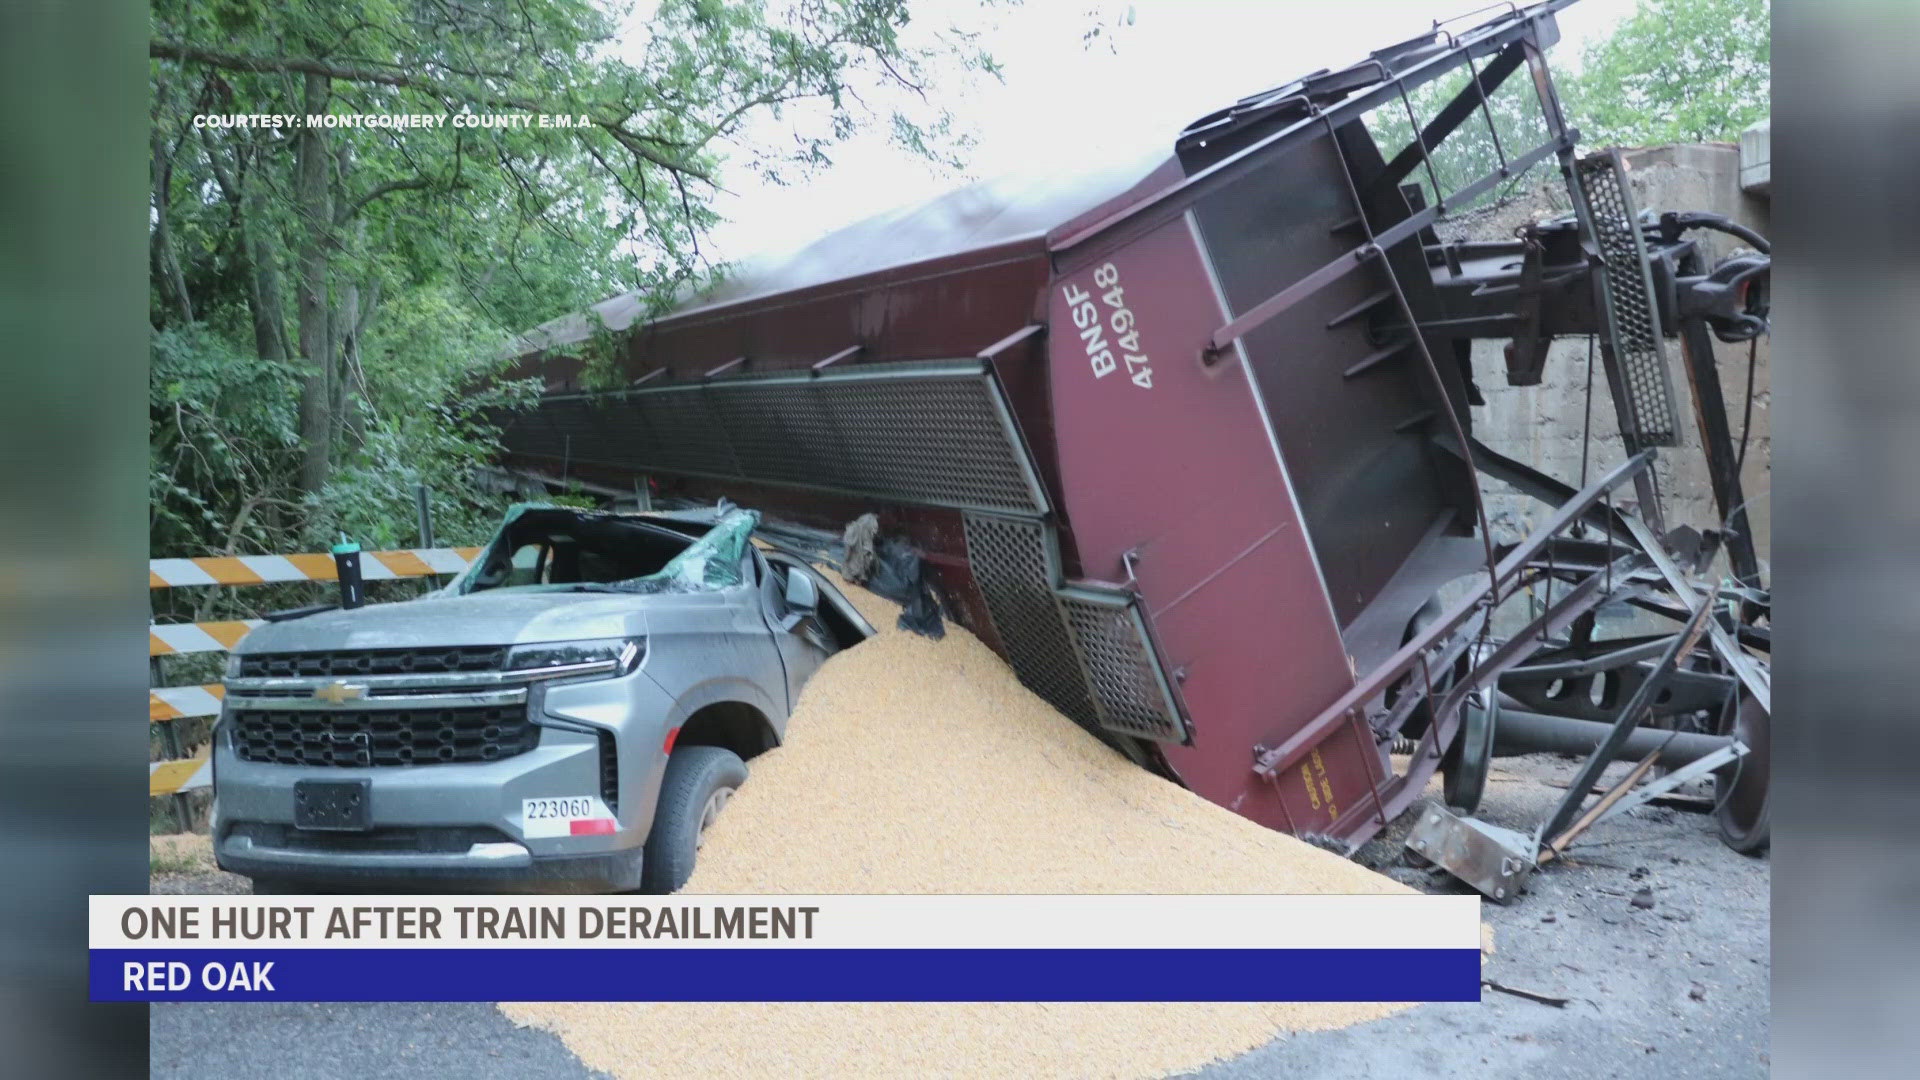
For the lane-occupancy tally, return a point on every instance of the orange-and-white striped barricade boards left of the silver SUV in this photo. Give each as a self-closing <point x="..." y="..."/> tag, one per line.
<point x="185" y="772"/>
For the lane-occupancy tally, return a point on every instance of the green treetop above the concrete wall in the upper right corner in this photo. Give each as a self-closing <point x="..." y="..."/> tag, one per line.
<point x="1675" y="72"/>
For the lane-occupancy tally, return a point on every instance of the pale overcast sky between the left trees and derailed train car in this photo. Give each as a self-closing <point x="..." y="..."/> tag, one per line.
<point x="1067" y="105"/>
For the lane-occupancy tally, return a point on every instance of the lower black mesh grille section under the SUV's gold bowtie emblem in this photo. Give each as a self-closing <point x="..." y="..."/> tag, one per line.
<point x="383" y="737"/>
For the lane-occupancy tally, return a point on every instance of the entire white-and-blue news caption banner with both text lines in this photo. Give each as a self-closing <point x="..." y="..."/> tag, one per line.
<point x="786" y="948"/>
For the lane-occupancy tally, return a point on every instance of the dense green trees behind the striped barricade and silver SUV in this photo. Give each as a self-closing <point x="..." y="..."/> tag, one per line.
<point x="331" y="301"/>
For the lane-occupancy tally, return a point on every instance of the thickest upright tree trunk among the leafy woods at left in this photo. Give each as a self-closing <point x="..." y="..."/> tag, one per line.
<point x="314" y="199"/>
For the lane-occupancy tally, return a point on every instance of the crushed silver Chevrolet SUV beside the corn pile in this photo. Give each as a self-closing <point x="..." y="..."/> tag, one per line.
<point x="565" y="716"/>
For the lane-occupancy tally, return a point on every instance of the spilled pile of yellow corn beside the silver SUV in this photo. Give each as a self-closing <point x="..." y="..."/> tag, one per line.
<point x="924" y="768"/>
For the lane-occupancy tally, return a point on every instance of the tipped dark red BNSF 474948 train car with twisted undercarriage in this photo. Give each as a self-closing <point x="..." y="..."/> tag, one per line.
<point x="1189" y="443"/>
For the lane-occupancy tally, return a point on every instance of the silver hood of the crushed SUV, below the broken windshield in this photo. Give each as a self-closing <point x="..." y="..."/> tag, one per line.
<point x="473" y="620"/>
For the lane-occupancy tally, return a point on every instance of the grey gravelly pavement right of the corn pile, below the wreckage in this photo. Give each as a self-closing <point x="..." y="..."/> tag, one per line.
<point x="1677" y="991"/>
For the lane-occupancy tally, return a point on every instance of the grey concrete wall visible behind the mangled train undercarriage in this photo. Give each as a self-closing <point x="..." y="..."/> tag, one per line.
<point x="1543" y="426"/>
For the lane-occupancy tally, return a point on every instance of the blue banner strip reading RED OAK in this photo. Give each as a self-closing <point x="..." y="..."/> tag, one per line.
<point x="784" y="975"/>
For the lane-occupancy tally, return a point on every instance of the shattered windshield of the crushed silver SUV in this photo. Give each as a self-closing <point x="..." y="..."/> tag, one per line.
<point x="546" y="549"/>
